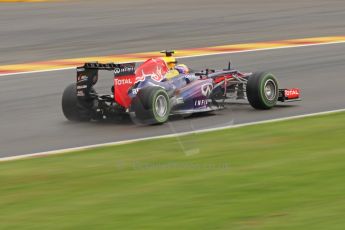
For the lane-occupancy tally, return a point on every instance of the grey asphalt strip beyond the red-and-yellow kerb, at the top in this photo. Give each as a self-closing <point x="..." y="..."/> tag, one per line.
<point x="55" y="30"/>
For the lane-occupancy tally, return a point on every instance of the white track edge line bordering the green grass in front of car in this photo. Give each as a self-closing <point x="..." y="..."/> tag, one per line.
<point x="90" y="147"/>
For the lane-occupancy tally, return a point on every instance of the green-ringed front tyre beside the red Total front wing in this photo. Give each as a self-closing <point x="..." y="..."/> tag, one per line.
<point x="262" y="90"/>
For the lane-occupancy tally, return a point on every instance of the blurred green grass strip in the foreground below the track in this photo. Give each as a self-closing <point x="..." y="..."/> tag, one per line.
<point x="284" y="175"/>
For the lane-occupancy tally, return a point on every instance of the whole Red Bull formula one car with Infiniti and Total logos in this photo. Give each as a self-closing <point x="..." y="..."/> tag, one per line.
<point x="154" y="90"/>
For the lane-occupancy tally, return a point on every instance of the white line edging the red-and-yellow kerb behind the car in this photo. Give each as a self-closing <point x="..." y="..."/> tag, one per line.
<point x="190" y="56"/>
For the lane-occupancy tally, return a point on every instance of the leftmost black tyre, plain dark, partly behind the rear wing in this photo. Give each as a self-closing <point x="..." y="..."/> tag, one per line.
<point x="74" y="108"/>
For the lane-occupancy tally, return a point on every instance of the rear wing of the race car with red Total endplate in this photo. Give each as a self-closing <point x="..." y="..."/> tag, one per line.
<point x="87" y="77"/>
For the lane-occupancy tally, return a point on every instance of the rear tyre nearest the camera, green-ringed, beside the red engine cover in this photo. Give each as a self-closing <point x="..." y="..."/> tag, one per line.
<point x="151" y="105"/>
